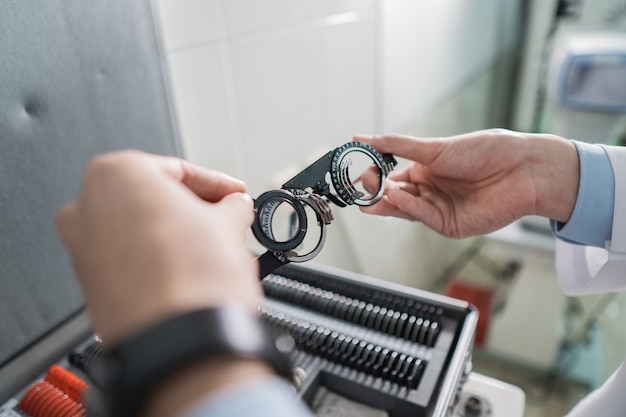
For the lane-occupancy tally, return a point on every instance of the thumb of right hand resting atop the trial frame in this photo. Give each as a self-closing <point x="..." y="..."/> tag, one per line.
<point x="422" y="150"/>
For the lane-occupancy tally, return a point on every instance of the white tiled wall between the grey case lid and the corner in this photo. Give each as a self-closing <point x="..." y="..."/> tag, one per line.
<point x="261" y="85"/>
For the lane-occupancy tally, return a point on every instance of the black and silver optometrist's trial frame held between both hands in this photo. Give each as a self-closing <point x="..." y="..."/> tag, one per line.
<point x="310" y="188"/>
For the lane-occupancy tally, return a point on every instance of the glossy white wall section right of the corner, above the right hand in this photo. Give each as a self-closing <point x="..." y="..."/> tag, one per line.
<point x="430" y="50"/>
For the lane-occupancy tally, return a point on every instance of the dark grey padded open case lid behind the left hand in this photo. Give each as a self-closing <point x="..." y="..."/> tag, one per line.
<point x="76" y="78"/>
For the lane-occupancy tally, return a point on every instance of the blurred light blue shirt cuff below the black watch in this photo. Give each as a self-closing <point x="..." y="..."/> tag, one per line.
<point x="272" y="397"/>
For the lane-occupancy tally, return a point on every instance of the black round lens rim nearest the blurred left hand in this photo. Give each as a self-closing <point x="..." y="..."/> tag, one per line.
<point x="278" y="197"/>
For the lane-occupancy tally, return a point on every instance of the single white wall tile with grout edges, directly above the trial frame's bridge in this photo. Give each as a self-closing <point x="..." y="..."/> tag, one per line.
<point x="282" y="102"/>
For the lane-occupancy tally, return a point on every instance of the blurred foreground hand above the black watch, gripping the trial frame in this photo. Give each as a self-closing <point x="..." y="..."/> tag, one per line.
<point x="151" y="236"/>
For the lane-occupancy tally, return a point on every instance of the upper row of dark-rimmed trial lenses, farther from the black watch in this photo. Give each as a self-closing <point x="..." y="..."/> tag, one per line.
<point x="400" y="324"/>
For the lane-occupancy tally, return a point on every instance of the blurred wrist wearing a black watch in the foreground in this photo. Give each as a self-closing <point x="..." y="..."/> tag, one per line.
<point x="184" y="348"/>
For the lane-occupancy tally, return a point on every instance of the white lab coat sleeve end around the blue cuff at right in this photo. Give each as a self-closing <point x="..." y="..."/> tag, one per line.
<point x="590" y="270"/>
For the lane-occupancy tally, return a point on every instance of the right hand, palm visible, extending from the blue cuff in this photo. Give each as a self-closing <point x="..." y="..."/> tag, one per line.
<point x="478" y="182"/>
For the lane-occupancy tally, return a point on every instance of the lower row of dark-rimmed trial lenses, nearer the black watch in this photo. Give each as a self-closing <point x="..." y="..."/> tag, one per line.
<point x="361" y="355"/>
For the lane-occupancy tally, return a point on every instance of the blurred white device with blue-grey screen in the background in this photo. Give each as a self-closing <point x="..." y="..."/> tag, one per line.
<point x="586" y="86"/>
